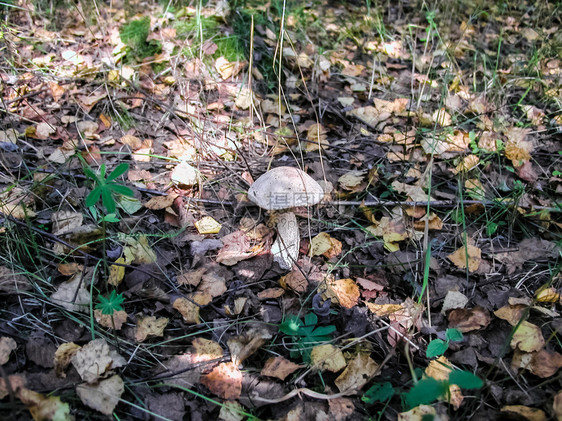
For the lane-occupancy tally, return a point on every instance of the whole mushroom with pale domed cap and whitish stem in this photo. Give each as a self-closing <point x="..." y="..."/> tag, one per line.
<point x="281" y="189"/>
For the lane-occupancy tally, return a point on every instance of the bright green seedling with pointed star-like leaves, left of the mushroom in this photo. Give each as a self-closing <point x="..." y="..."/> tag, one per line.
<point x="106" y="188"/>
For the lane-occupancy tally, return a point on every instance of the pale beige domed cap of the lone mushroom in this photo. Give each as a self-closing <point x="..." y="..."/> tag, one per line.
<point x="285" y="188"/>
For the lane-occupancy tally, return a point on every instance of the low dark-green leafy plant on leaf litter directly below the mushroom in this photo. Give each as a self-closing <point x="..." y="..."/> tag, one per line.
<point x="305" y="334"/>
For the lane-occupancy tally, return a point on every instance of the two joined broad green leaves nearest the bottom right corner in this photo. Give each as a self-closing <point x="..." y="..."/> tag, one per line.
<point x="428" y="390"/>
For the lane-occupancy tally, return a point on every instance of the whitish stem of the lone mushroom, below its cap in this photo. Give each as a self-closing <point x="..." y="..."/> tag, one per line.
<point x="285" y="249"/>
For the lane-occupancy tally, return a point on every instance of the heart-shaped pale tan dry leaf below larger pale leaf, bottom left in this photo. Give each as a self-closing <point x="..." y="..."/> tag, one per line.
<point x="103" y="396"/>
